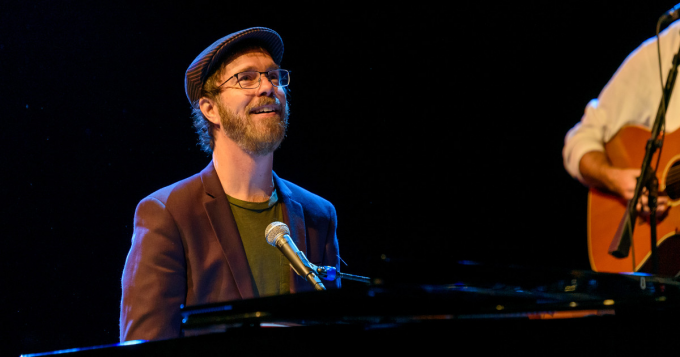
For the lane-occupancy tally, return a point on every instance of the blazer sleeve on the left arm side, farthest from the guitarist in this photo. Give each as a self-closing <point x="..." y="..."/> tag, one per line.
<point x="154" y="278"/>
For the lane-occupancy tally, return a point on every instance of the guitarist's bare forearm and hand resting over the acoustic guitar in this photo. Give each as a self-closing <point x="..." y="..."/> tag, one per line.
<point x="599" y="173"/>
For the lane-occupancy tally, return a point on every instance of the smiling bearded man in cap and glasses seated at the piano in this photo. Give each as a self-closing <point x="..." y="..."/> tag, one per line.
<point x="202" y="240"/>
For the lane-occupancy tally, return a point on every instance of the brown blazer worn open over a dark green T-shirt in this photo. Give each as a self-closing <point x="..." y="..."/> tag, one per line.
<point x="186" y="249"/>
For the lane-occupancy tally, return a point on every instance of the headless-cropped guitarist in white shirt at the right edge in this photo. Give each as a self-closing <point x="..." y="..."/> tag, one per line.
<point x="631" y="97"/>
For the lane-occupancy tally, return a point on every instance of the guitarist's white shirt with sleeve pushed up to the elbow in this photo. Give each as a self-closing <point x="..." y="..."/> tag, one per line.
<point x="631" y="96"/>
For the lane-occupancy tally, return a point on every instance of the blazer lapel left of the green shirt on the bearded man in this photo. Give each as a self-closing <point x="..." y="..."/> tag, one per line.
<point x="223" y="224"/>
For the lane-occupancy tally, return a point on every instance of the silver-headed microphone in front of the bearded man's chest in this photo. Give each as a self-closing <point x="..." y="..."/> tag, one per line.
<point x="278" y="235"/>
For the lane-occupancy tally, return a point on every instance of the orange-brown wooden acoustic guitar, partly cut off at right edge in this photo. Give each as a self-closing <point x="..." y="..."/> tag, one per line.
<point x="605" y="211"/>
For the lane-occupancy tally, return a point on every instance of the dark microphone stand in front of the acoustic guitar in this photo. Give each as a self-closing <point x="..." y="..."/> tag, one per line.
<point x="620" y="246"/>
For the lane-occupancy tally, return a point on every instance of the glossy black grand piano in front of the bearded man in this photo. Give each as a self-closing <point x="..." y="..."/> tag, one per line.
<point x="476" y="308"/>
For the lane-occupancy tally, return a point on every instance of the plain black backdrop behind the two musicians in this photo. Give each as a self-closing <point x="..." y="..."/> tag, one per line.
<point x="436" y="132"/>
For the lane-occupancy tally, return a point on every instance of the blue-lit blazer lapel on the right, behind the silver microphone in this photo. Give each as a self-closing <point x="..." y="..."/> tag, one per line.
<point x="293" y="216"/>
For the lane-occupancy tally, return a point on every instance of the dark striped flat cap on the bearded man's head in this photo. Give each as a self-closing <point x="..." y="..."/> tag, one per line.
<point x="206" y="62"/>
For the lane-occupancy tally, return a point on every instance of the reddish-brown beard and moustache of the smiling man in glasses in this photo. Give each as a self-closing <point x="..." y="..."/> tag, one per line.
<point x="254" y="138"/>
